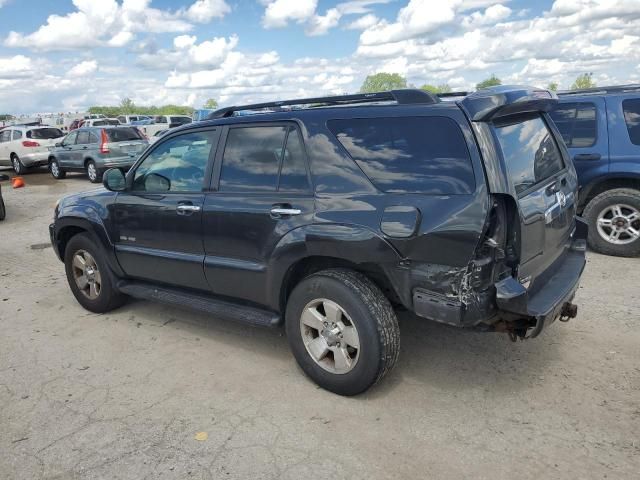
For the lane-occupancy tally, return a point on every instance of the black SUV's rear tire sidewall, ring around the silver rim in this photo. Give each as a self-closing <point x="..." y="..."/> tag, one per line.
<point x="366" y="370"/>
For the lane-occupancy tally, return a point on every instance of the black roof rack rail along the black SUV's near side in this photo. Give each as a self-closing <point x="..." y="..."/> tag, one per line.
<point x="403" y="97"/>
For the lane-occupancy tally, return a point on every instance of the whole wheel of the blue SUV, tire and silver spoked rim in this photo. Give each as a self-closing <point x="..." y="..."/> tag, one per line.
<point x="602" y="210"/>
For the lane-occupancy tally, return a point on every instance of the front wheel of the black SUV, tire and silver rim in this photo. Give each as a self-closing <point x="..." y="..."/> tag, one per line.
<point x="106" y="297"/>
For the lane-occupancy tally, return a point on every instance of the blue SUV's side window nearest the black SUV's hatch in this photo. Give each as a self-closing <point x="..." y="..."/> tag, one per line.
<point x="577" y="123"/>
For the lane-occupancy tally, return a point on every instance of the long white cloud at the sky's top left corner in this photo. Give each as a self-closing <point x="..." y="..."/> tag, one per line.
<point x="110" y="23"/>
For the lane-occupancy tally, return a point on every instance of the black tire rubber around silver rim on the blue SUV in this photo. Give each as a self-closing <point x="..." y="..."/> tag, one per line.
<point x="595" y="207"/>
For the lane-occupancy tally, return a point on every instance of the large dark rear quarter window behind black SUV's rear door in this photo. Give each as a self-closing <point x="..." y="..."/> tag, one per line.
<point x="409" y="154"/>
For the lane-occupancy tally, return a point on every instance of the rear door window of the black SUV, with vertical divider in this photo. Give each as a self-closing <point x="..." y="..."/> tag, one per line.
<point x="264" y="159"/>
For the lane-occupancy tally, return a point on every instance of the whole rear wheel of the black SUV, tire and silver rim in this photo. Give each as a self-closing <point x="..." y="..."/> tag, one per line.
<point x="363" y="307"/>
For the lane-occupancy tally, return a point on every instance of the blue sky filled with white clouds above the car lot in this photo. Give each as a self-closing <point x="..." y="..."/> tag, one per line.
<point x="66" y="55"/>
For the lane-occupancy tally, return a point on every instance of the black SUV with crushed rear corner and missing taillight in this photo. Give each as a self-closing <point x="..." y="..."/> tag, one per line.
<point x="327" y="214"/>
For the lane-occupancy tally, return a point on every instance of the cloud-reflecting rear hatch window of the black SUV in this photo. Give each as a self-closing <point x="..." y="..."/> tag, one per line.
<point x="529" y="150"/>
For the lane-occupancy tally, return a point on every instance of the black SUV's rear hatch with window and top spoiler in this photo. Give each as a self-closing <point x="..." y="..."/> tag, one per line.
<point x="527" y="162"/>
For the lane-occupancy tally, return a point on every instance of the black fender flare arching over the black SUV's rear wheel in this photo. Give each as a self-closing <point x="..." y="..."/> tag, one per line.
<point x="355" y="244"/>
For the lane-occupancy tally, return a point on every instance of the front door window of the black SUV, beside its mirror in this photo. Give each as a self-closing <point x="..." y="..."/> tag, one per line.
<point x="176" y="165"/>
